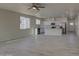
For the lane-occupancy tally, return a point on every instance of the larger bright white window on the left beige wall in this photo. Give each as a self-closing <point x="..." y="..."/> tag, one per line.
<point x="24" y="22"/>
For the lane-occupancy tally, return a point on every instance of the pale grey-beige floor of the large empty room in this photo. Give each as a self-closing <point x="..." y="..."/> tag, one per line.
<point x="65" y="45"/>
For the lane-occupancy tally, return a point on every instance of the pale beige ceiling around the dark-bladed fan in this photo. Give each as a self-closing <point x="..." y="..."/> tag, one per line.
<point x="50" y="10"/>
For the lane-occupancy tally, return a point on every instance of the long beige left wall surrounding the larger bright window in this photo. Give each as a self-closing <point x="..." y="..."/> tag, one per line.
<point x="10" y="25"/>
